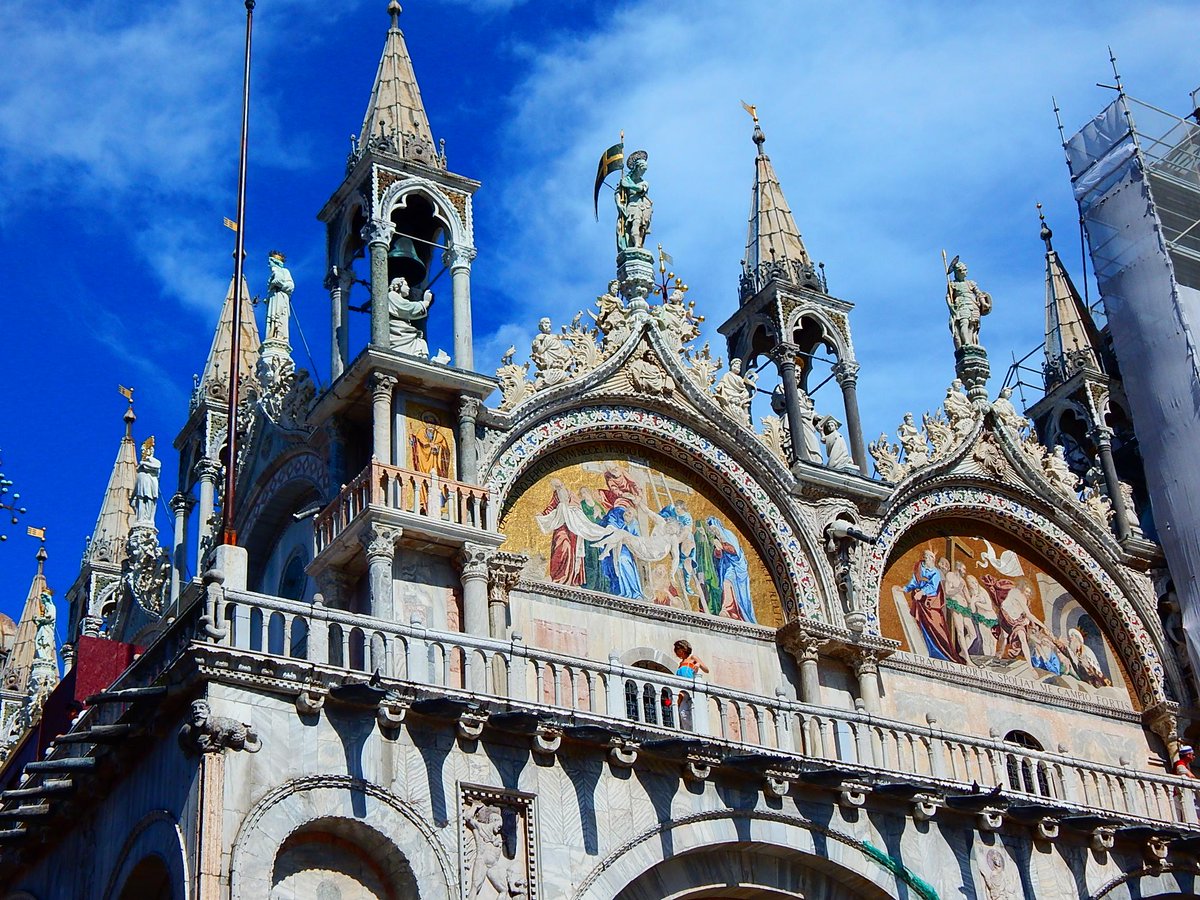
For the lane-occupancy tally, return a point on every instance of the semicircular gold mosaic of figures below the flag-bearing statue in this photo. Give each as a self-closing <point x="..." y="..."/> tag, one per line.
<point x="641" y="531"/>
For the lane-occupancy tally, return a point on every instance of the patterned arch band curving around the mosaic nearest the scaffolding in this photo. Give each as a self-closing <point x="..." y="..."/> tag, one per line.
<point x="1123" y="621"/>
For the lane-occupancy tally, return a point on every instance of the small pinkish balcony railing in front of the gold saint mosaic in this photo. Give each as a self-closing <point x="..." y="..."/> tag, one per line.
<point x="440" y="500"/>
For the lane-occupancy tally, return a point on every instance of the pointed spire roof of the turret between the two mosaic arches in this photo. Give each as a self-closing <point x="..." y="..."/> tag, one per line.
<point x="775" y="248"/>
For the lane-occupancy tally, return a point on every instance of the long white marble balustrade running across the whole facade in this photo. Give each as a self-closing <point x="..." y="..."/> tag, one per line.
<point x="585" y="691"/>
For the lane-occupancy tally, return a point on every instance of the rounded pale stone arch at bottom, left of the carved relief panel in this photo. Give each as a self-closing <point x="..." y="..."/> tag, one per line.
<point x="298" y="807"/>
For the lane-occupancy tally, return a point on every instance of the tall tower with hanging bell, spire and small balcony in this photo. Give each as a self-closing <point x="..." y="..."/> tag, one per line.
<point x="397" y="427"/>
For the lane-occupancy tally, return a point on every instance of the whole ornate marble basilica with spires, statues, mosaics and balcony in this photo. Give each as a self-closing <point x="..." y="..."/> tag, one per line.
<point x="638" y="619"/>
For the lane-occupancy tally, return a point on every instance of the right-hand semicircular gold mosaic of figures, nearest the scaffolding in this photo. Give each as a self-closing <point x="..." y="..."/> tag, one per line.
<point x="980" y="603"/>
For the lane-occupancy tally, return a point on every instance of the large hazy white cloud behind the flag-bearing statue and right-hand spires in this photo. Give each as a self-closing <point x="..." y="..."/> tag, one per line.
<point x="896" y="133"/>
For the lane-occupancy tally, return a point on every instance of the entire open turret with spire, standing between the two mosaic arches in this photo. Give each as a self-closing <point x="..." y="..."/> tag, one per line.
<point x="788" y="315"/>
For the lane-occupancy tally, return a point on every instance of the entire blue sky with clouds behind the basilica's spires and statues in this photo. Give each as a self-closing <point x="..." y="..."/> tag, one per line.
<point x="897" y="130"/>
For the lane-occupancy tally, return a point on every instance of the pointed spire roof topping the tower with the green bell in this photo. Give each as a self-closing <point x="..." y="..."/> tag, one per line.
<point x="395" y="119"/>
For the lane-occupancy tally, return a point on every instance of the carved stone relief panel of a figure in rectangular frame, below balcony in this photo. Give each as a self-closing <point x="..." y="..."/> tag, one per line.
<point x="500" y="850"/>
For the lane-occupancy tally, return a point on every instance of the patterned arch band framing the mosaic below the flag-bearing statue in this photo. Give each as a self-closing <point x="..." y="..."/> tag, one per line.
<point x="785" y="554"/>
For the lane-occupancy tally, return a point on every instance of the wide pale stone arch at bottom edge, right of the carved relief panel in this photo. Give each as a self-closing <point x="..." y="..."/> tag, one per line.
<point x="765" y="854"/>
